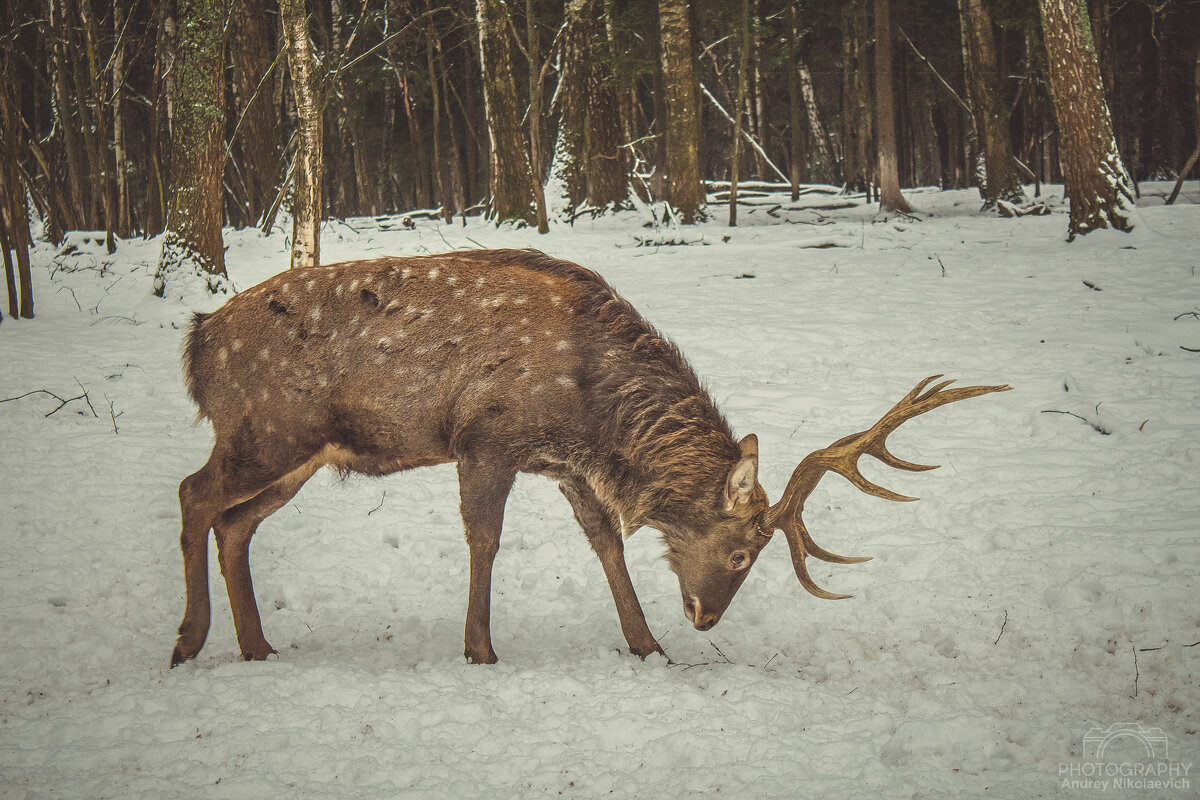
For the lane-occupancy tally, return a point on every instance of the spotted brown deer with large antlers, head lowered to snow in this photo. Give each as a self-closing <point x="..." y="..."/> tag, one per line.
<point x="500" y="362"/>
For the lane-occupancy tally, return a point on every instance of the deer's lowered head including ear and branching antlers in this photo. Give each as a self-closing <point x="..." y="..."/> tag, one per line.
<point x="713" y="566"/>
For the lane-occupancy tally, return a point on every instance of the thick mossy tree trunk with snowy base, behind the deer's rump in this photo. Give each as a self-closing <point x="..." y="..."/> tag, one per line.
<point x="197" y="147"/>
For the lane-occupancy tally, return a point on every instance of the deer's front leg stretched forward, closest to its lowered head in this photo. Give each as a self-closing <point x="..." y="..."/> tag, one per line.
<point x="604" y="534"/>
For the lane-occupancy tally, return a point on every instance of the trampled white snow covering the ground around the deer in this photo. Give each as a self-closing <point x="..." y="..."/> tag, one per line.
<point x="1043" y="591"/>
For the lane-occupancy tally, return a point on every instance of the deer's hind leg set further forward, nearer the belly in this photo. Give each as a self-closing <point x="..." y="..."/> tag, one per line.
<point x="233" y="531"/>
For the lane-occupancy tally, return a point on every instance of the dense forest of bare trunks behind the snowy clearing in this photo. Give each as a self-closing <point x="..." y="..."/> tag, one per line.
<point x="184" y="118"/>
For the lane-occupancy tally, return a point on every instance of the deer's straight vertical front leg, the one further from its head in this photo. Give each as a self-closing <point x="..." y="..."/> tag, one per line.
<point x="483" y="492"/>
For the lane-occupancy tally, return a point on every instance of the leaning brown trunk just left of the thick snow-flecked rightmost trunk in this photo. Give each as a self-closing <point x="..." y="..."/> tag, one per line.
<point x="1000" y="179"/>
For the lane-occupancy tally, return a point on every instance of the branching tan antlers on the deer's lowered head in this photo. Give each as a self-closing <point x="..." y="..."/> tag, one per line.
<point x="843" y="459"/>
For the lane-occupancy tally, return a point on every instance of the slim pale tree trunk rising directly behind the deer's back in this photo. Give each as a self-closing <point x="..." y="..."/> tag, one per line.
<point x="308" y="208"/>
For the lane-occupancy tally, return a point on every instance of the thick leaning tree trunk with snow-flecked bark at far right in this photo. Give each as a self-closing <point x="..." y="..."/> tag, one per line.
<point x="1097" y="183"/>
